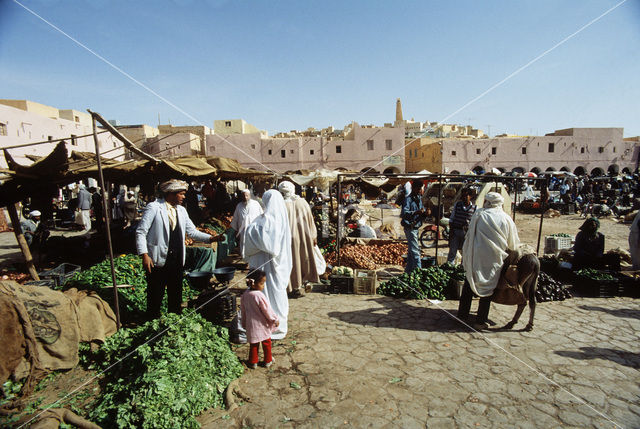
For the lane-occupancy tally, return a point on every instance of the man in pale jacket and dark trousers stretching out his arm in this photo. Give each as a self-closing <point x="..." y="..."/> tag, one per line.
<point x="160" y="241"/>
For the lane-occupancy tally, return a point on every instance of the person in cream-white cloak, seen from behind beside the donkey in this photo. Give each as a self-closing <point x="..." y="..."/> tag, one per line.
<point x="491" y="232"/>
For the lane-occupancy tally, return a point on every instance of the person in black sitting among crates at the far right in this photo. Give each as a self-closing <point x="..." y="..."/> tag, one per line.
<point x="589" y="247"/>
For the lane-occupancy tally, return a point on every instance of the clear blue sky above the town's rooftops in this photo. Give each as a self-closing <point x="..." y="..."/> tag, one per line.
<point x="283" y="65"/>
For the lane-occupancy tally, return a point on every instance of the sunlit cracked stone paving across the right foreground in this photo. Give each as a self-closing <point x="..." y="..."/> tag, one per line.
<point x="369" y="361"/>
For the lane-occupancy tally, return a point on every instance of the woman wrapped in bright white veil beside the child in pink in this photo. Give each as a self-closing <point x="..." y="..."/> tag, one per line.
<point x="267" y="246"/>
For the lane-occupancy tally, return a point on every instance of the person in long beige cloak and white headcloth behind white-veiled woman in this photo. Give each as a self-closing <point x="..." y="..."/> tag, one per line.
<point x="304" y="237"/>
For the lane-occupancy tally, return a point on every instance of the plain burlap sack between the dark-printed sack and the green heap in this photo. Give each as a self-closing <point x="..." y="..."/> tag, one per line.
<point x="97" y="319"/>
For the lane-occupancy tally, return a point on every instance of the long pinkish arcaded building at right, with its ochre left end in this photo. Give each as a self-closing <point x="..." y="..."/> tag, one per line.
<point x="595" y="151"/>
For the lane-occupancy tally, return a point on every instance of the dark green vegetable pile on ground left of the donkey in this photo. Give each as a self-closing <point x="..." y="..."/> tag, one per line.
<point x="421" y="283"/>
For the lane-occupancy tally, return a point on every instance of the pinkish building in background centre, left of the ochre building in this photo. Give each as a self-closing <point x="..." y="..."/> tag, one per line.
<point x="361" y="148"/>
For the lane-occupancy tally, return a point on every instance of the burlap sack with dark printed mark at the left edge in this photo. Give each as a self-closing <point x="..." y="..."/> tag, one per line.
<point x="54" y="320"/>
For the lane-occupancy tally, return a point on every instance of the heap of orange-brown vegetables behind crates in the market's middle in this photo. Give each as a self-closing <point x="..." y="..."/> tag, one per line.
<point x="369" y="256"/>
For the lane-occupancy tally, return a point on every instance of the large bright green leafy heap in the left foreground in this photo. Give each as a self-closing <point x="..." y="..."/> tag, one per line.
<point x="167" y="382"/>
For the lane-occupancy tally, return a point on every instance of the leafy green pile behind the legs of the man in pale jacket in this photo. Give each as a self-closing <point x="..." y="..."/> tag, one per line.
<point x="129" y="271"/>
